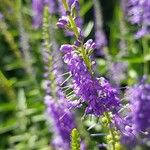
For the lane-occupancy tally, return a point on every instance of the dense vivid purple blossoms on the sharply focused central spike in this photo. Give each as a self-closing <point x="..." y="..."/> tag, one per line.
<point x="98" y="93"/>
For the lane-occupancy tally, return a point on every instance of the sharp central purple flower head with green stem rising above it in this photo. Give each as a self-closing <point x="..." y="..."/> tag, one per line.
<point x="97" y="93"/>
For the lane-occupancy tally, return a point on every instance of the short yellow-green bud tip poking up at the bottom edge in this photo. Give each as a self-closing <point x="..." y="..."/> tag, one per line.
<point x="75" y="140"/>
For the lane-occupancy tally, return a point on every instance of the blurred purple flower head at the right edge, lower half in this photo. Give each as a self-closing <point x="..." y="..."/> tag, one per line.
<point x="139" y="97"/>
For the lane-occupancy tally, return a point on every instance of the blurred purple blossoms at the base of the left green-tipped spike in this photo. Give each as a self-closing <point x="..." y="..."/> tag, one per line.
<point x="63" y="122"/>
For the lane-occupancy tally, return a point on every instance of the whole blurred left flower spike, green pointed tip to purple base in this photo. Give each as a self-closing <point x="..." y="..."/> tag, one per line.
<point x="57" y="107"/>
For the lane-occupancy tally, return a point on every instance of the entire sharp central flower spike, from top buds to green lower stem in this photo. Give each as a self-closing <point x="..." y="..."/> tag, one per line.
<point x="100" y="97"/>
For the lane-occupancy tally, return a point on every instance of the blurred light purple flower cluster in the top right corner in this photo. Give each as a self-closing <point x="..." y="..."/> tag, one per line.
<point x="139" y="13"/>
